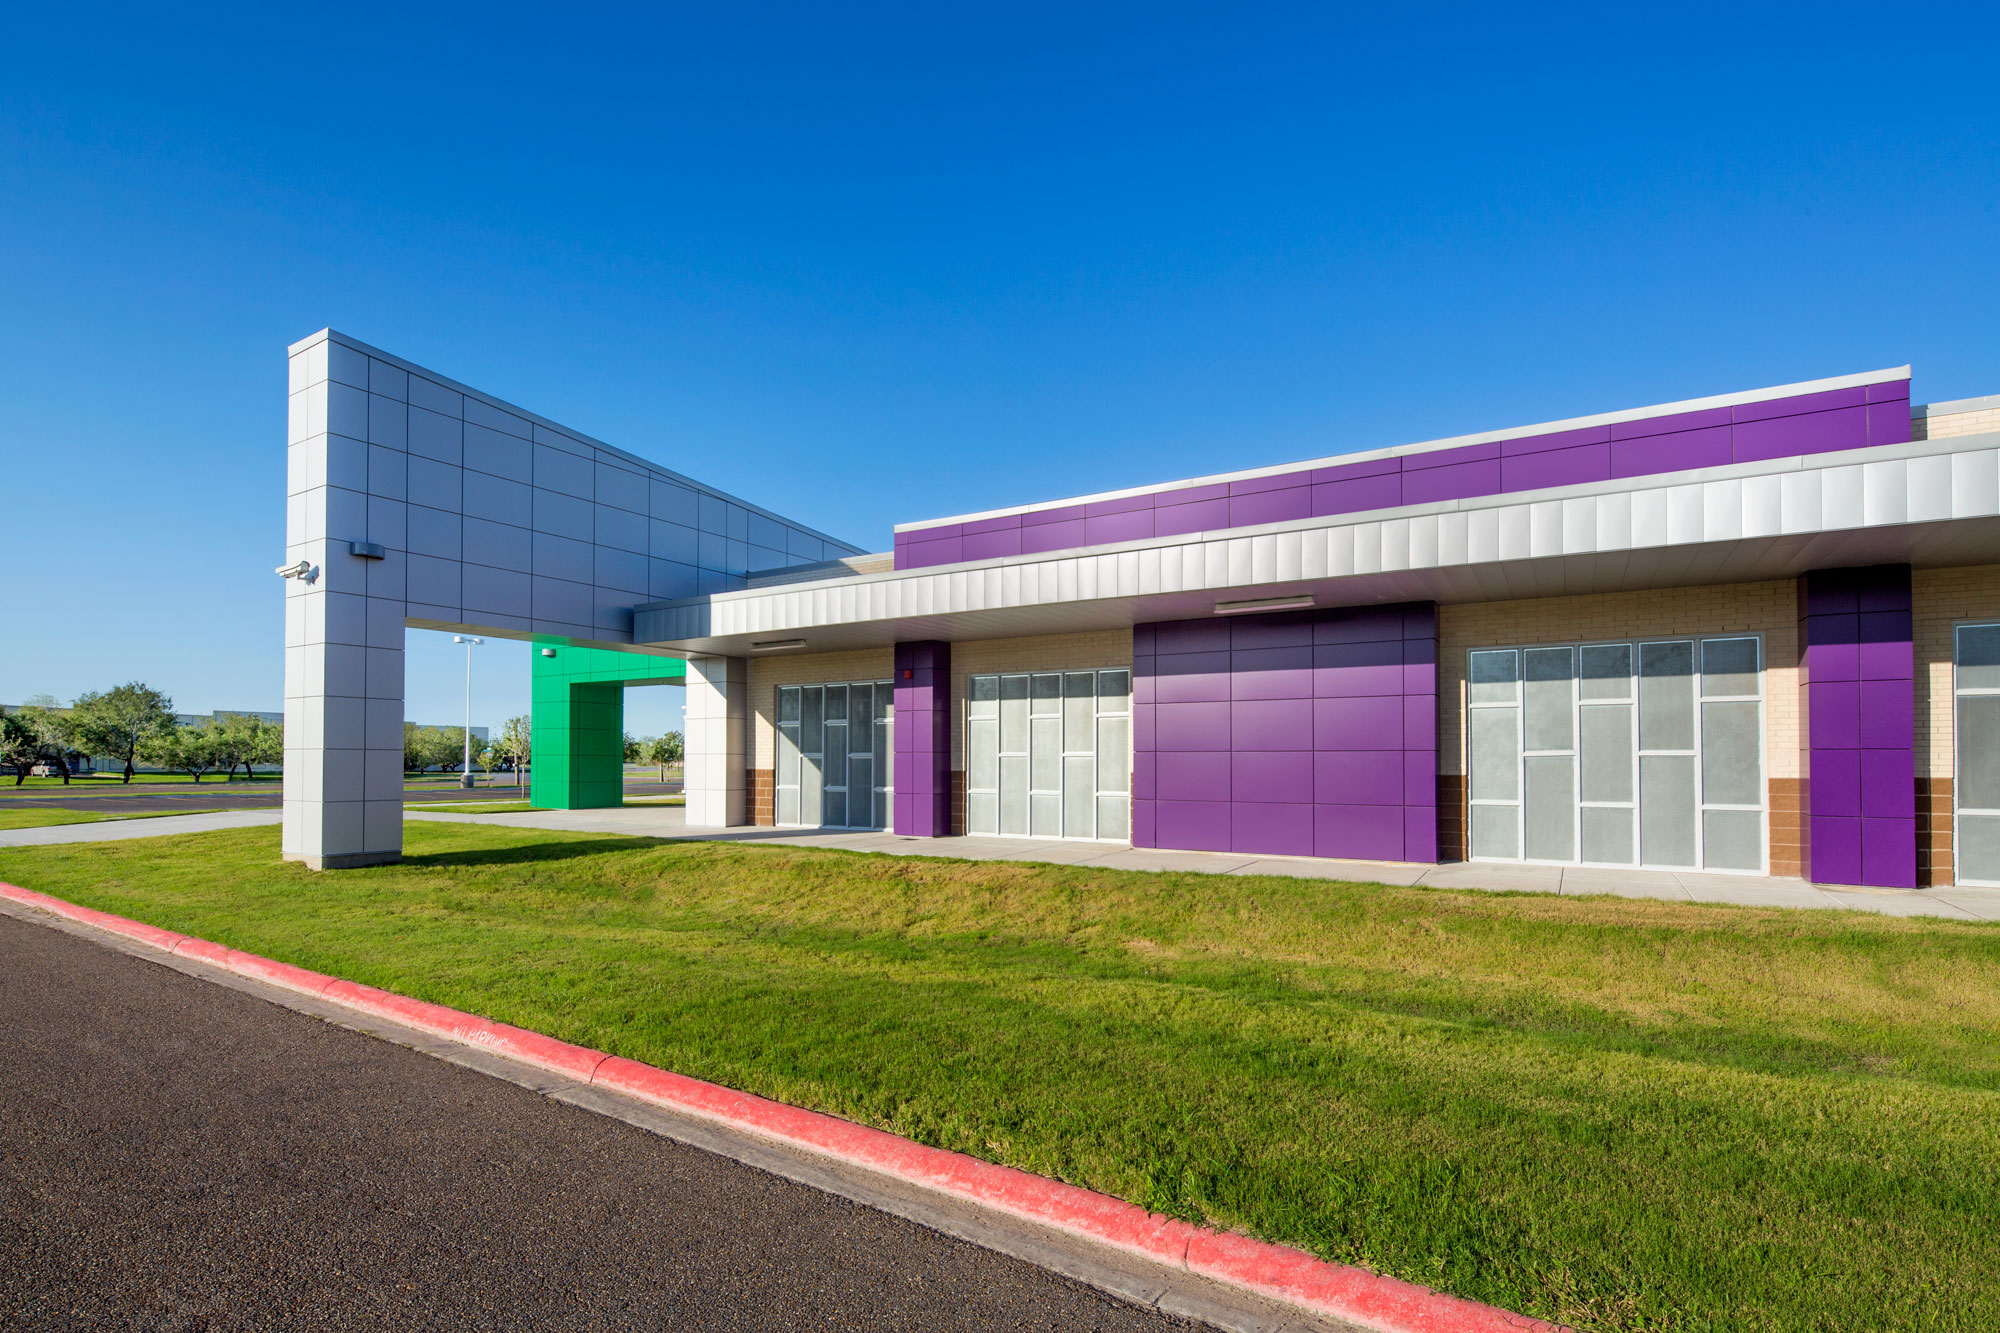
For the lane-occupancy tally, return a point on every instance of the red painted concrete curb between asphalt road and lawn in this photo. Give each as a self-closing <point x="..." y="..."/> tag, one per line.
<point x="1279" y="1272"/>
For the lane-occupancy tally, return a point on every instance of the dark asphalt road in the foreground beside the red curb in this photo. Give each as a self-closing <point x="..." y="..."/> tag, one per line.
<point x="183" y="1158"/>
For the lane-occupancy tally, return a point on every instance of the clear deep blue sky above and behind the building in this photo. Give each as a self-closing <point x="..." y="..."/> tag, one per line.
<point x="873" y="265"/>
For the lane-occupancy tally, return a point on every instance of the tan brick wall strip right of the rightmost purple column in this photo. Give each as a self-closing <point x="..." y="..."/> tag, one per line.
<point x="1941" y="599"/>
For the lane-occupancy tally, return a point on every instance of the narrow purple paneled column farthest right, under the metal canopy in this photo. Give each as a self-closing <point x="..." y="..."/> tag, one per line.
<point x="1859" y="728"/>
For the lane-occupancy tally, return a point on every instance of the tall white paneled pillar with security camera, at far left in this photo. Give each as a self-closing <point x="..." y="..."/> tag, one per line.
<point x="343" y="631"/>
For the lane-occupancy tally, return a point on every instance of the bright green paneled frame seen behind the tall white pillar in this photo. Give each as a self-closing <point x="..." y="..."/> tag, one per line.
<point x="579" y="722"/>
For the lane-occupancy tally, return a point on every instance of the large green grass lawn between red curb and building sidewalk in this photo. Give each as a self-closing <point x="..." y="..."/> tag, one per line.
<point x="1621" y="1114"/>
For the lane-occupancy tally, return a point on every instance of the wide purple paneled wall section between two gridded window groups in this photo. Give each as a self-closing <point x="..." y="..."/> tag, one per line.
<point x="1297" y="734"/>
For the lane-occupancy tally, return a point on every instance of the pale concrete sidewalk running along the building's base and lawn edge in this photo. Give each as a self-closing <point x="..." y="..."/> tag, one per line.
<point x="1573" y="882"/>
